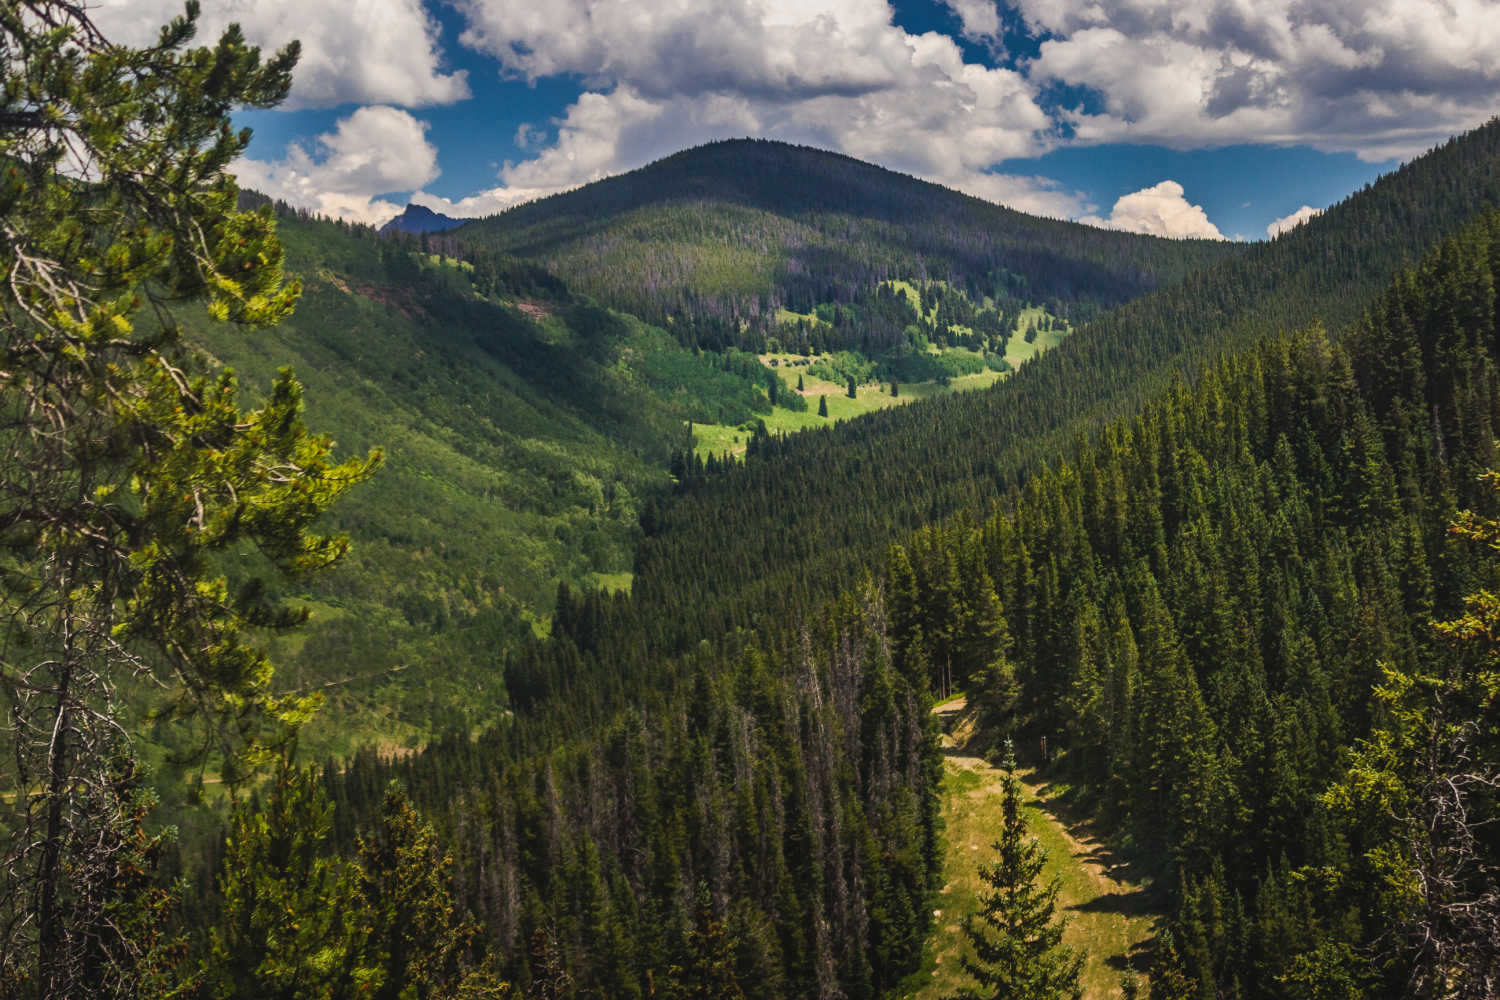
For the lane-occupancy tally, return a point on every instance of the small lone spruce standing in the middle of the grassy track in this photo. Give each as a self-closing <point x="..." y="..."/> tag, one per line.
<point x="1016" y="936"/>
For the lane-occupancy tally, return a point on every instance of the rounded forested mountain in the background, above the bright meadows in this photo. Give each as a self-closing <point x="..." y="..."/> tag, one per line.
<point x="734" y="232"/>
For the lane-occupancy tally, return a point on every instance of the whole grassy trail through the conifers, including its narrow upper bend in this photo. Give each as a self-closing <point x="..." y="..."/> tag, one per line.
<point x="1108" y="914"/>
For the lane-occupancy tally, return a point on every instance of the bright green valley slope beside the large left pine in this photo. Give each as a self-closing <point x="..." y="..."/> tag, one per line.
<point x="526" y="431"/>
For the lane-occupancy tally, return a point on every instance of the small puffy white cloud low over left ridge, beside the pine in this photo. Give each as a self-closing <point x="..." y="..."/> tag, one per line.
<point x="370" y="154"/>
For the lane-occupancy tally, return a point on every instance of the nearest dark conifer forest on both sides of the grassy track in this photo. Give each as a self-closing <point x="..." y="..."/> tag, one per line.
<point x="1195" y="609"/>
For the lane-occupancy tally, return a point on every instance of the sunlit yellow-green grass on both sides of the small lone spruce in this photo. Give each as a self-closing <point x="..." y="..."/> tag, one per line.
<point x="1111" y="927"/>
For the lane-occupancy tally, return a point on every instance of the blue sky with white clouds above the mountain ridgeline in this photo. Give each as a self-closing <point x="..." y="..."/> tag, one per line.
<point x="1223" y="119"/>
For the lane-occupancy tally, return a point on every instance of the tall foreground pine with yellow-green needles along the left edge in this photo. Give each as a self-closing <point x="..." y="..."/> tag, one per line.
<point x="130" y="476"/>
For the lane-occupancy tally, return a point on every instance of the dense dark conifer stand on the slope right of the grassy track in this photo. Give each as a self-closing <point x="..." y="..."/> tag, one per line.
<point x="1198" y="608"/>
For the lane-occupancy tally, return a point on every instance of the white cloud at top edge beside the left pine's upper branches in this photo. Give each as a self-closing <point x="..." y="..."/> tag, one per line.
<point x="353" y="52"/>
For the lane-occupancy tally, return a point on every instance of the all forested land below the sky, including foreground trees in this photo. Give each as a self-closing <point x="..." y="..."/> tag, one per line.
<point x="491" y="612"/>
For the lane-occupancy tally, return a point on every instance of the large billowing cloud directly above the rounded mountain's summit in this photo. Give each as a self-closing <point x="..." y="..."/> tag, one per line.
<point x="838" y="74"/>
